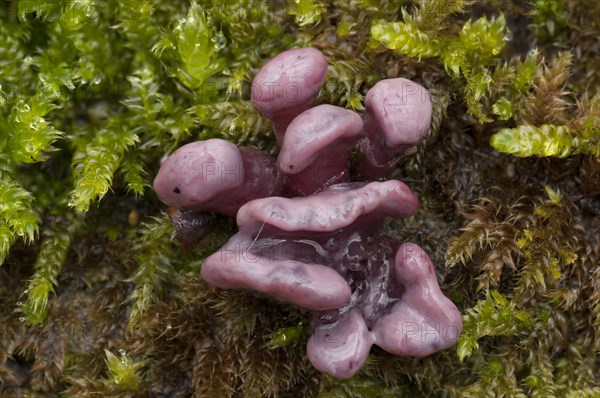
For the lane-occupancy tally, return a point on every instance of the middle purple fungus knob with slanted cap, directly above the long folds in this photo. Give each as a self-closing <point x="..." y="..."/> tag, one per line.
<point x="316" y="148"/>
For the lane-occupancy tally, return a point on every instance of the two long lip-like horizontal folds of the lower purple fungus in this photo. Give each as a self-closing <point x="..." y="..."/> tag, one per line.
<point x="279" y="247"/>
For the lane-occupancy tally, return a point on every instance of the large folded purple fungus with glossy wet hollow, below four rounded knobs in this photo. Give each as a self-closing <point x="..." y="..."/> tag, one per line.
<point x="323" y="252"/>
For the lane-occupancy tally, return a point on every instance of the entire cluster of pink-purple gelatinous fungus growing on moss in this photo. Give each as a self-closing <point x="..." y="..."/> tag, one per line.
<point x="307" y="233"/>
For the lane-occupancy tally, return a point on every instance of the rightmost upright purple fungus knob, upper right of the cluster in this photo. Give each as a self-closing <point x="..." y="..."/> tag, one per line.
<point x="397" y="117"/>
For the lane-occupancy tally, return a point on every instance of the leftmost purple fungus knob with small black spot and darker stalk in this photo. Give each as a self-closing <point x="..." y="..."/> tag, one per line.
<point x="216" y="176"/>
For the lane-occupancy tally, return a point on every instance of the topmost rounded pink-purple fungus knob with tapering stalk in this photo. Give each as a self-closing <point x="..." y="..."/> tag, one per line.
<point x="288" y="85"/>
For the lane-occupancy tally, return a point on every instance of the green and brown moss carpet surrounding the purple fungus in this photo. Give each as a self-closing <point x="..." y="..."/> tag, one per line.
<point x="98" y="299"/>
